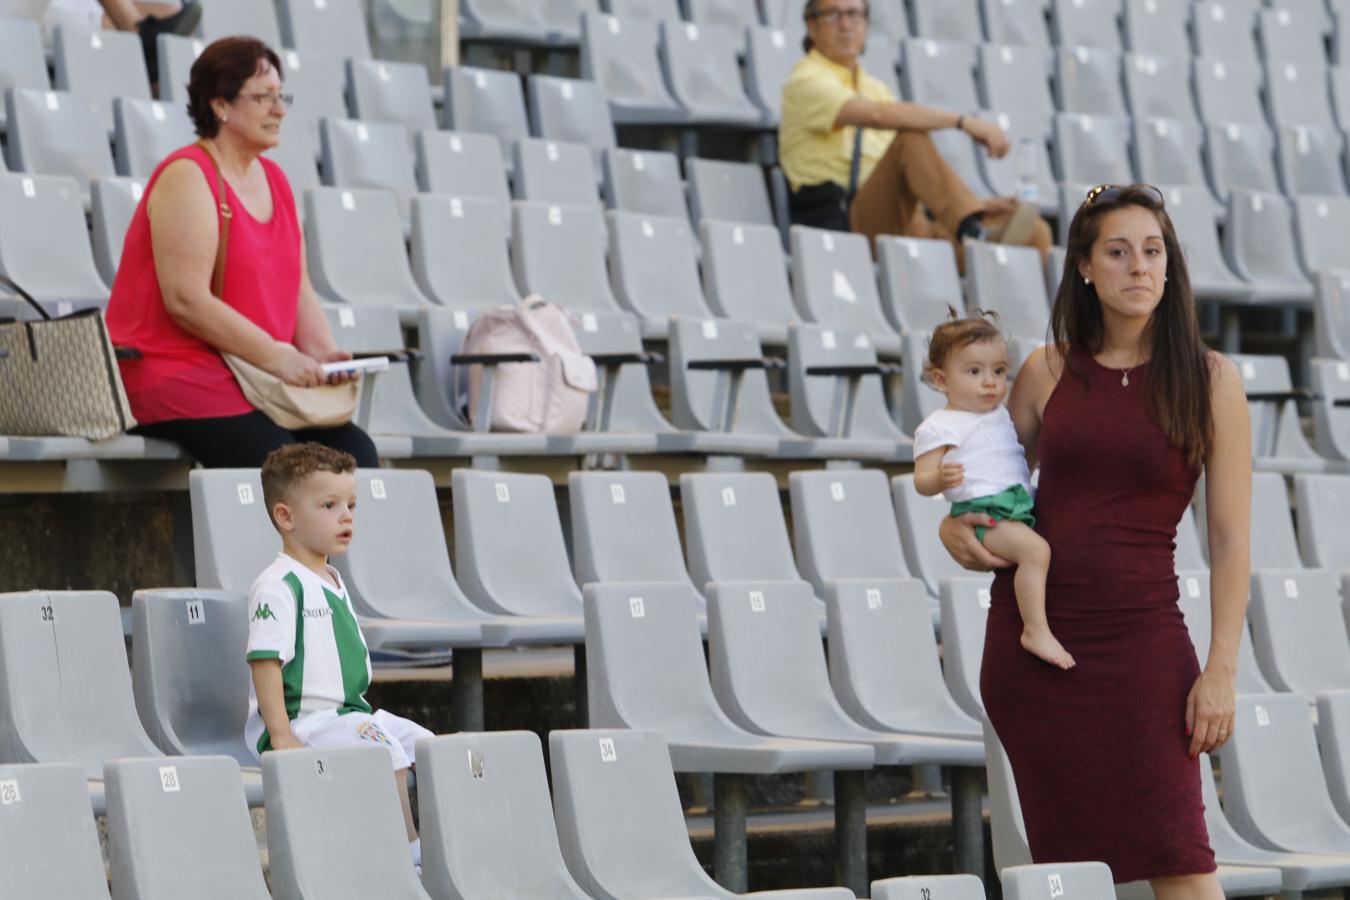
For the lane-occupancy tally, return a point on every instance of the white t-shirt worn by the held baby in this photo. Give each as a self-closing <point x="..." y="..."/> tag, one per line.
<point x="985" y="443"/>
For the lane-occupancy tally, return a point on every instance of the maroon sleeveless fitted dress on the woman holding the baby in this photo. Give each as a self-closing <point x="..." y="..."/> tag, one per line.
<point x="1100" y="752"/>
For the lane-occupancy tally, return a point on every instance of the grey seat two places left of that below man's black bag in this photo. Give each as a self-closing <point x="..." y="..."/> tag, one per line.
<point x="654" y="269"/>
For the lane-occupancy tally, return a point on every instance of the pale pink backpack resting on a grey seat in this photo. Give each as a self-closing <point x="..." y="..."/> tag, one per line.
<point x="550" y="396"/>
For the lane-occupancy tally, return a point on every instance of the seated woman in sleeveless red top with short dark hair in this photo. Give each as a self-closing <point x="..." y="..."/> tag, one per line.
<point x="163" y="306"/>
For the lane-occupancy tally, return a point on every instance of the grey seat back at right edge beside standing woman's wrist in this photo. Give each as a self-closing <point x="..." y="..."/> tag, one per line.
<point x="1299" y="632"/>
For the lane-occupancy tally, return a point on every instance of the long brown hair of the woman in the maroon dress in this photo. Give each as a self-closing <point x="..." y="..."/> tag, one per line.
<point x="1178" y="380"/>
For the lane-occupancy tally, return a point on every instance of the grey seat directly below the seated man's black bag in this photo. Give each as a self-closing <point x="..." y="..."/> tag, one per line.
<point x="834" y="284"/>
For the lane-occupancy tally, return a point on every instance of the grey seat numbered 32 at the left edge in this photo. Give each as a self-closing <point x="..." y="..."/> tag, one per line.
<point x="53" y="713"/>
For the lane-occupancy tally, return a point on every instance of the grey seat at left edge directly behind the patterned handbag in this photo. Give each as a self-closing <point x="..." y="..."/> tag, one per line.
<point x="45" y="245"/>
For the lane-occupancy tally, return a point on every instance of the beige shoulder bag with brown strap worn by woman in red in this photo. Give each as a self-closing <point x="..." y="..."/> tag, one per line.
<point x="292" y="408"/>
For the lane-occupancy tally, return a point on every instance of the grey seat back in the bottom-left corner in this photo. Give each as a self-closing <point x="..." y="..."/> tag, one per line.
<point x="49" y="844"/>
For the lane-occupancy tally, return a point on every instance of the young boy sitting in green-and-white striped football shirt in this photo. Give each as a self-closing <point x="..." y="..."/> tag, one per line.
<point x="308" y="658"/>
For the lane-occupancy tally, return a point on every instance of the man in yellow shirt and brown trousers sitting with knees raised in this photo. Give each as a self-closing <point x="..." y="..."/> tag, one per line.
<point x="859" y="160"/>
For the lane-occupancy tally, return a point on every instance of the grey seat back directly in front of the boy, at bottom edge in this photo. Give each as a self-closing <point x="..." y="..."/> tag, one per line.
<point x="313" y="836"/>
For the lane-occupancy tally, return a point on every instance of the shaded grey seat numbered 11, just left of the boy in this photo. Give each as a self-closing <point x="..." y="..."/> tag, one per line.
<point x="188" y="671"/>
